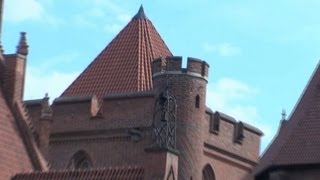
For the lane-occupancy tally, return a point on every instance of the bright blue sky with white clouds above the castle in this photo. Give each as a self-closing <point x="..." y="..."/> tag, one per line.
<point x="261" y="53"/>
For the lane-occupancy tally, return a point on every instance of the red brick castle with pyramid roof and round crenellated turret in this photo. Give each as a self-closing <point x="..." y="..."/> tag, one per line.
<point x="133" y="113"/>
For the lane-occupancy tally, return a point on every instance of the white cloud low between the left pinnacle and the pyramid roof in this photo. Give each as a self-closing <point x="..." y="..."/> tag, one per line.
<point x="54" y="83"/>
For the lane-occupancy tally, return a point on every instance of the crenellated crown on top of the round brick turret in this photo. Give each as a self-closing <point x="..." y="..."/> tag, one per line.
<point x="173" y="65"/>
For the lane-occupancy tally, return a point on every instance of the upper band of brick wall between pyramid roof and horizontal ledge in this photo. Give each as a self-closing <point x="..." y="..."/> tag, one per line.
<point x="116" y="113"/>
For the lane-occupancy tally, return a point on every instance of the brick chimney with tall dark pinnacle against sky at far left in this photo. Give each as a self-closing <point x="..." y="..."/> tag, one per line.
<point x="15" y="67"/>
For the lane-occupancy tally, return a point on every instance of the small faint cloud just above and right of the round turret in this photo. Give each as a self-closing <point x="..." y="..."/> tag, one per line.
<point x="222" y="49"/>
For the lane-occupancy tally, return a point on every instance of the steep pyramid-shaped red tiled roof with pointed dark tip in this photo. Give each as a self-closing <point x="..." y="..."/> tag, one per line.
<point x="125" y="64"/>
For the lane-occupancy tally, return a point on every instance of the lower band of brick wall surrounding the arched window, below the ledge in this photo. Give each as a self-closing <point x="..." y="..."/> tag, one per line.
<point x="105" y="149"/>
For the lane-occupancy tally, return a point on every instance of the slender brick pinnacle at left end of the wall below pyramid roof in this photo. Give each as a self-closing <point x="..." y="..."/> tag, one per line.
<point x="45" y="122"/>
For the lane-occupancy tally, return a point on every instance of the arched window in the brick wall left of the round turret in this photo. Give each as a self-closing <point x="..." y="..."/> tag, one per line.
<point x="80" y="160"/>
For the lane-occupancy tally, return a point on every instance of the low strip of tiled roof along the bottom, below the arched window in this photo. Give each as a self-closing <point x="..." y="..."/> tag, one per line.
<point x="132" y="173"/>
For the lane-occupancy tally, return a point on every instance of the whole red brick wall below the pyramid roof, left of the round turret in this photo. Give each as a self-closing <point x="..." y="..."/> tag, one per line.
<point x="105" y="139"/>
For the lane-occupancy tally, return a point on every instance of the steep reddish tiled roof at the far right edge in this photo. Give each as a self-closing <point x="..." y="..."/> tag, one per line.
<point x="298" y="140"/>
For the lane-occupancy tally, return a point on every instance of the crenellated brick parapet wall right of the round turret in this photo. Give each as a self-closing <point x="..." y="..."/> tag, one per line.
<point x="233" y="137"/>
